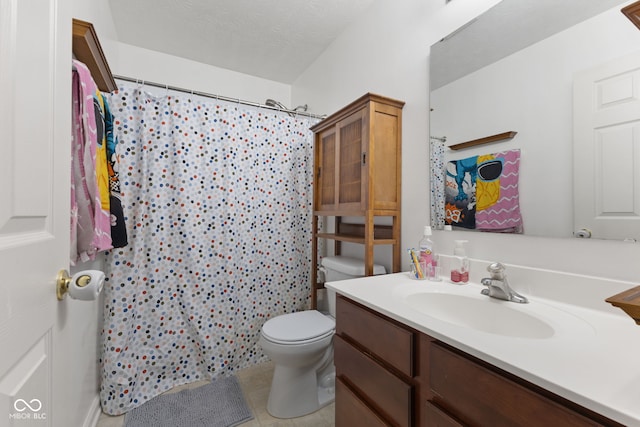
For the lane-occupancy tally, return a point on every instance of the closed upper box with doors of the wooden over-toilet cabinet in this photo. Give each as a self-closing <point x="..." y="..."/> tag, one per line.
<point x="357" y="155"/>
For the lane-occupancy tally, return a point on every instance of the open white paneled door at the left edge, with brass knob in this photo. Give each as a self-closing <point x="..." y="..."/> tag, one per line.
<point x="35" y="128"/>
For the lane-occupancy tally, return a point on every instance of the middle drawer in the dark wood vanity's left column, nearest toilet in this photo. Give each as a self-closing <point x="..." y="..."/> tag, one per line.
<point x="382" y="389"/>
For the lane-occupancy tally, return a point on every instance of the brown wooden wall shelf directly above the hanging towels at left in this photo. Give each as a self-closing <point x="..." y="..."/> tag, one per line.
<point x="87" y="49"/>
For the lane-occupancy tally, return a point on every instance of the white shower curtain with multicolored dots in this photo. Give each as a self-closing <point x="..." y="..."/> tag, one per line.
<point x="217" y="199"/>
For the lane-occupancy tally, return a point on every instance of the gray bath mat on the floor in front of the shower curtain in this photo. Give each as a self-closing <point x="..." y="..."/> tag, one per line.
<point x="217" y="404"/>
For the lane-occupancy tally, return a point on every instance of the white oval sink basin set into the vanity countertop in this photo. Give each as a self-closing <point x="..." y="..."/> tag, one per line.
<point x="481" y="313"/>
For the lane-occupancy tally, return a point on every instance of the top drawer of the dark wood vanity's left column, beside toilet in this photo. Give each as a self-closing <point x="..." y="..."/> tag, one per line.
<point x="383" y="338"/>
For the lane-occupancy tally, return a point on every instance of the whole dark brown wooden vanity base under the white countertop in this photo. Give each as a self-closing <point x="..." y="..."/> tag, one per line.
<point x="390" y="374"/>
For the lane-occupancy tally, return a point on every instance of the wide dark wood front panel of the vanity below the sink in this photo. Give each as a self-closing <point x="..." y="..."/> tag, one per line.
<point x="478" y="395"/>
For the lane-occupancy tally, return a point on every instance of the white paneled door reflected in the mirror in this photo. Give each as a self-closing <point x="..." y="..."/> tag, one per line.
<point x="606" y="147"/>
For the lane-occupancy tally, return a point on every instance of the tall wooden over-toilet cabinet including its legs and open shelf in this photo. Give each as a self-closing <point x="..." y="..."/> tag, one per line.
<point x="357" y="173"/>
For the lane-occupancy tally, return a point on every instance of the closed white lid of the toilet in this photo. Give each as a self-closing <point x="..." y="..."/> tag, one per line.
<point x="299" y="326"/>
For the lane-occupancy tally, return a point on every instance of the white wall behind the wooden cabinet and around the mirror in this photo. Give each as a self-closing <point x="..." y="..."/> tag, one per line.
<point x="386" y="52"/>
